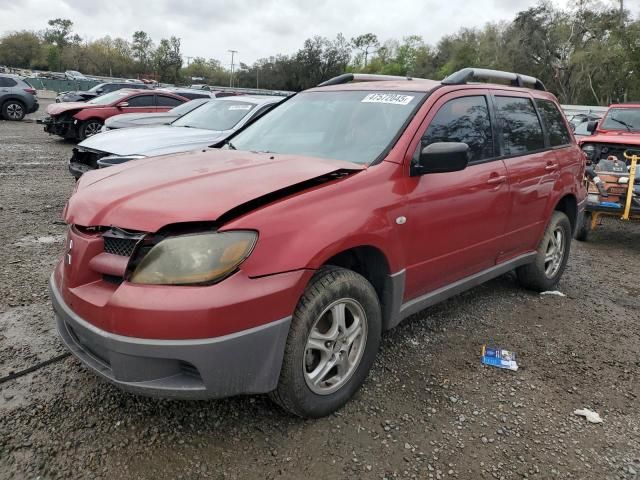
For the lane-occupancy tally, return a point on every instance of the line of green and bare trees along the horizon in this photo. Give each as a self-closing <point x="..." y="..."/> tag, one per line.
<point x="586" y="54"/>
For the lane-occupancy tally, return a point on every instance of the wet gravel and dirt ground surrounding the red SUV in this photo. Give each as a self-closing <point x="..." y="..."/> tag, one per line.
<point x="428" y="410"/>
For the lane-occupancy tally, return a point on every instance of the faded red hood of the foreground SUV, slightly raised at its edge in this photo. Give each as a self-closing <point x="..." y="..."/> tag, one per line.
<point x="148" y="194"/>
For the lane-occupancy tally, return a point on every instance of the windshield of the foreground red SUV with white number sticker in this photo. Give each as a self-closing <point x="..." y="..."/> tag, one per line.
<point x="356" y="126"/>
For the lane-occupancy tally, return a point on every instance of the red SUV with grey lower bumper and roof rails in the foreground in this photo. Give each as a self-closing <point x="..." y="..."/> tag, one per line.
<point x="274" y="263"/>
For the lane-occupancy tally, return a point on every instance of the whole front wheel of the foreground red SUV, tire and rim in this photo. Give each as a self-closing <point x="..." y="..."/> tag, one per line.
<point x="309" y="386"/>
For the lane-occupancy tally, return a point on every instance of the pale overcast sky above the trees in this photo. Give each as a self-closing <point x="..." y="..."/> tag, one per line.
<point x="260" y="28"/>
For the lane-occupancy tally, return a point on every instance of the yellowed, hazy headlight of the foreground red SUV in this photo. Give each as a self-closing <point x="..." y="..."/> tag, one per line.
<point x="194" y="259"/>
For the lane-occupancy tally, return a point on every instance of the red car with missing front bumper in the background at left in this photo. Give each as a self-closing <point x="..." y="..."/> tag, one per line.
<point x="79" y="120"/>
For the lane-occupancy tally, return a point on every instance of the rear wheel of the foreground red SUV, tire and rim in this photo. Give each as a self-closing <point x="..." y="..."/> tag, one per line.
<point x="544" y="274"/>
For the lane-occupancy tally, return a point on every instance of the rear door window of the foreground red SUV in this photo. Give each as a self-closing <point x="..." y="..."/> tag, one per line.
<point x="520" y="126"/>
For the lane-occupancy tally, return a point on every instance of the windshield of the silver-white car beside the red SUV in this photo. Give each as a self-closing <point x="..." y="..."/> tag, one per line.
<point x="215" y="115"/>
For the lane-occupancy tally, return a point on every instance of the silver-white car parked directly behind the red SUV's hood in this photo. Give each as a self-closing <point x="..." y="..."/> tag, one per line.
<point x="207" y="125"/>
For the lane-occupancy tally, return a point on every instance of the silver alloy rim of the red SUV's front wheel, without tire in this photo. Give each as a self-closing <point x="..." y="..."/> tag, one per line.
<point x="335" y="346"/>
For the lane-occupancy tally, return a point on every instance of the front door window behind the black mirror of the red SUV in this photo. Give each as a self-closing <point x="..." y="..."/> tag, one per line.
<point x="466" y="120"/>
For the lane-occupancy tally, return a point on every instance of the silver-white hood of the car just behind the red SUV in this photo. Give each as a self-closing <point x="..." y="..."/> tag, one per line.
<point x="150" y="141"/>
